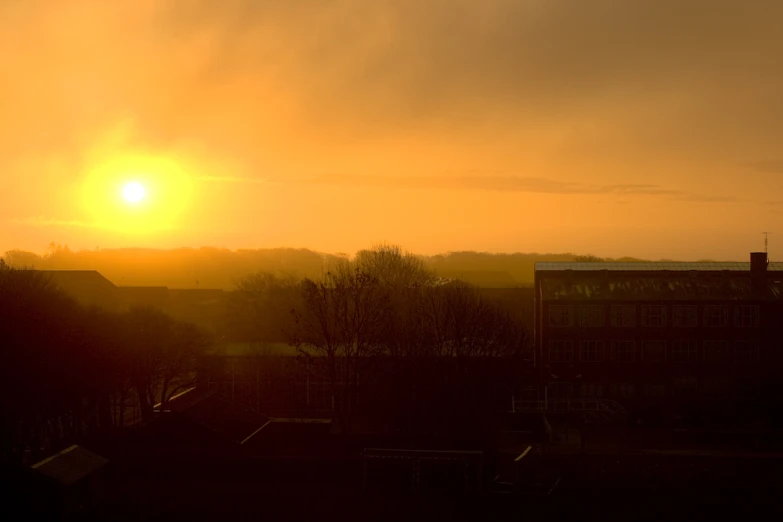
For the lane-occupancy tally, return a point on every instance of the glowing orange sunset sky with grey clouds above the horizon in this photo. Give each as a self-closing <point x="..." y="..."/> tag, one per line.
<point x="649" y="128"/>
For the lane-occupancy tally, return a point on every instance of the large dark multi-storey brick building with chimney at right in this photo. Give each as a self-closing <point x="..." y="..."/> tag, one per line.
<point x="652" y="334"/>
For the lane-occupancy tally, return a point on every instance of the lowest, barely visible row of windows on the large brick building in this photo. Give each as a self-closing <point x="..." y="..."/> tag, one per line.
<point x="677" y="388"/>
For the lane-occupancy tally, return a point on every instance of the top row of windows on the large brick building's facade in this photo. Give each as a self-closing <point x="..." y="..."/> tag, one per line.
<point x="561" y="316"/>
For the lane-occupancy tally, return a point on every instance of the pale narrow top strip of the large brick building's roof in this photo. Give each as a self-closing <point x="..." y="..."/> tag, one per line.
<point x="654" y="266"/>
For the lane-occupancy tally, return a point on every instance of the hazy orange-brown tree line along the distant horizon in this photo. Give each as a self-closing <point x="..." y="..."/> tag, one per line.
<point x="208" y="267"/>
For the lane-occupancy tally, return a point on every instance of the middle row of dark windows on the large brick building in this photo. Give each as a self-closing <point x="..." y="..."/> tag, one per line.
<point x="623" y="351"/>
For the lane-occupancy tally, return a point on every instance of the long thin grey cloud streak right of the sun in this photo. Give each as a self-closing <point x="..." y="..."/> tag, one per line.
<point x="535" y="185"/>
